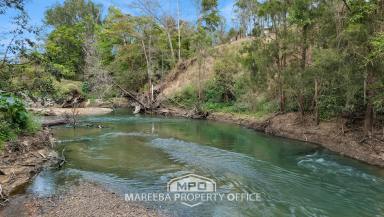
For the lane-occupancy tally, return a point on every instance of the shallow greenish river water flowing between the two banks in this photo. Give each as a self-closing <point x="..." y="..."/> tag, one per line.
<point x="141" y="154"/>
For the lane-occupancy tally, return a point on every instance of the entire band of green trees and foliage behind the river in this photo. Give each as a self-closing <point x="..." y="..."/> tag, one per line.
<point x="317" y="57"/>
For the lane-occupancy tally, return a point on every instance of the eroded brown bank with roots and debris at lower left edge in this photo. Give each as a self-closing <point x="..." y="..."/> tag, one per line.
<point x="21" y="160"/>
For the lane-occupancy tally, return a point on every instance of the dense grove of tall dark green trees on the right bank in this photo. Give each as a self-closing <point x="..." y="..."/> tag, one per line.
<point x="322" y="56"/>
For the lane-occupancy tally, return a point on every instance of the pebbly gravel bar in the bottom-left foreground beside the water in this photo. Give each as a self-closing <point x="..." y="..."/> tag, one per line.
<point x="85" y="200"/>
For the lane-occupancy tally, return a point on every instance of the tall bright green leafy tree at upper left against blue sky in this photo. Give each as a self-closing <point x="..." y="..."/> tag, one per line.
<point x="70" y="45"/>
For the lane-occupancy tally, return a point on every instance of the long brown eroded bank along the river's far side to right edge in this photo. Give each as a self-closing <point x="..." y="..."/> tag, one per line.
<point x="331" y="135"/>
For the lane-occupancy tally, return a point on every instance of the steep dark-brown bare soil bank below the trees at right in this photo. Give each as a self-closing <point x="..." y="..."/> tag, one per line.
<point x="331" y="135"/>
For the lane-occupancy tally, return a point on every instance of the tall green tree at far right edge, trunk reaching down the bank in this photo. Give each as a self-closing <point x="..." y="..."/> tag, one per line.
<point x="362" y="39"/>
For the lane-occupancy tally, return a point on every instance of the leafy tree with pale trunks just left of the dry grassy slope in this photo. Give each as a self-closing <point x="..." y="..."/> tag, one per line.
<point x="132" y="48"/>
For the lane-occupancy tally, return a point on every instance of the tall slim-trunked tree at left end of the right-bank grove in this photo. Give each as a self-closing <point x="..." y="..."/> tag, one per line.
<point x="273" y="43"/>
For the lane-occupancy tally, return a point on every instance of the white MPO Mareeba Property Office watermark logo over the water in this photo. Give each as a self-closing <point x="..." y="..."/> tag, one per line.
<point x="192" y="190"/>
